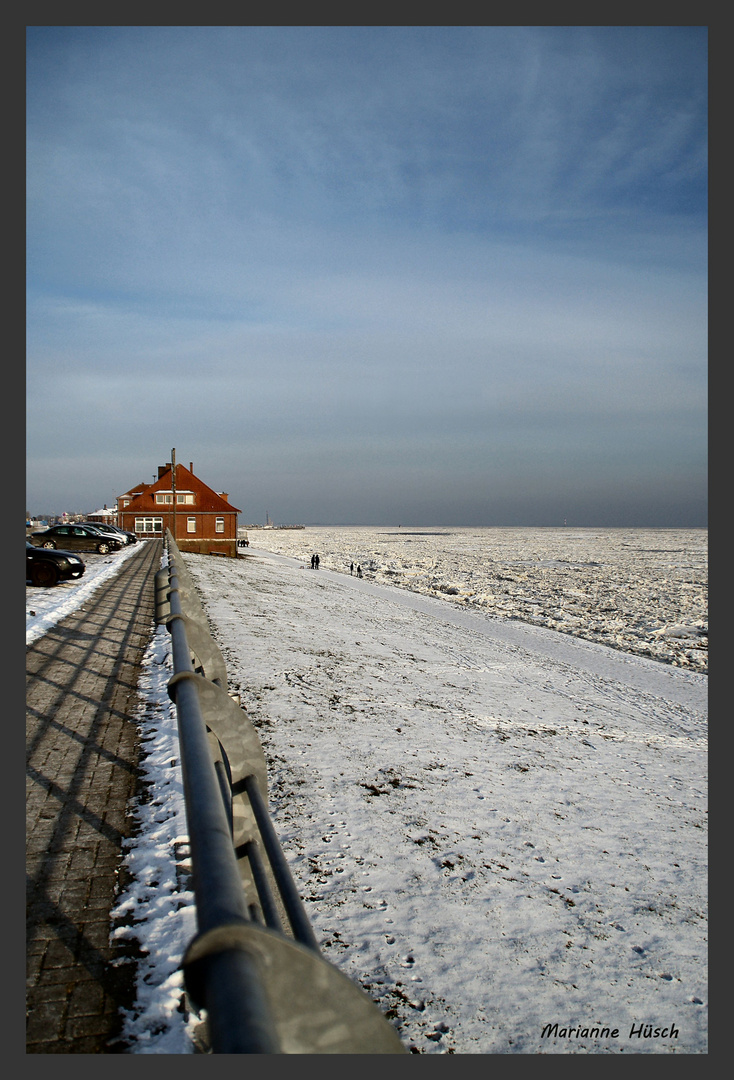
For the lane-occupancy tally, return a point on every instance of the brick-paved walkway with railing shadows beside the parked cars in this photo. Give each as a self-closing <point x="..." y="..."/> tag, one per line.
<point x="83" y="747"/>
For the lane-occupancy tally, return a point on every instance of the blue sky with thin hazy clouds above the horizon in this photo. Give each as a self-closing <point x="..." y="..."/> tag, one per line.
<point x="372" y="275"/>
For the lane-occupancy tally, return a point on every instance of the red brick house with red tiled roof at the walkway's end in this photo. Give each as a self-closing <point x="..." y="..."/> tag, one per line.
<point x="200" y="520"/>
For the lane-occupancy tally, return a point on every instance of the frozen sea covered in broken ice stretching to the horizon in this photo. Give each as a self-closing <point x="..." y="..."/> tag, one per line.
<point x="643" y="591"/>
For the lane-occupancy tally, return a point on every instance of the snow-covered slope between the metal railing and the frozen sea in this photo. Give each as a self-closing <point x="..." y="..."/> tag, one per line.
<point x="495" y="827"/>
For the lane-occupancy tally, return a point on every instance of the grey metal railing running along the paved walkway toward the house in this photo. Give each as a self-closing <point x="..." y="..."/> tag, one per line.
<point x="255" y="965"/>
